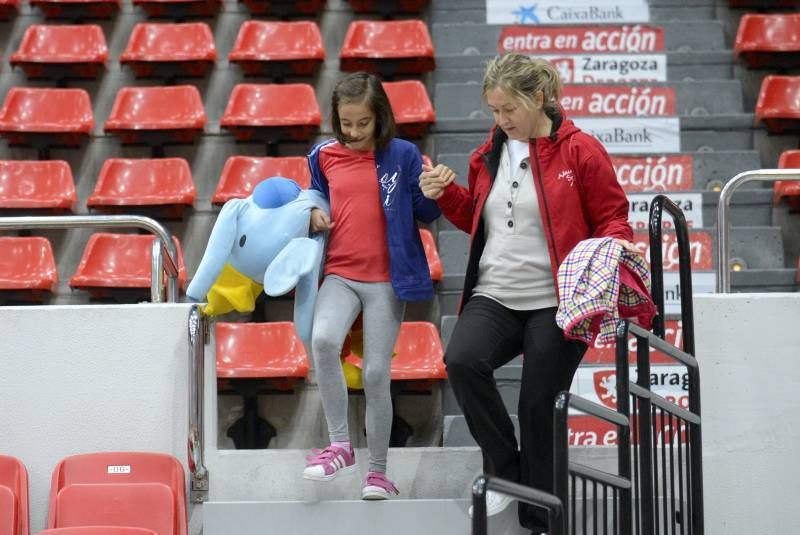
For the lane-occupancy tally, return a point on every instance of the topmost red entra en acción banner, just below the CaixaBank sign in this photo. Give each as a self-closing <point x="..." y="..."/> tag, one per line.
<point x="580" y="39"/>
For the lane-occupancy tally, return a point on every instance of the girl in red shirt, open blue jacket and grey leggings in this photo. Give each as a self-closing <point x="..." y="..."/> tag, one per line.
<point x="374" y="263"/>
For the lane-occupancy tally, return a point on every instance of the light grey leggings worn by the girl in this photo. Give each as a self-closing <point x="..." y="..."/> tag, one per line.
<point x="338" y="303"/>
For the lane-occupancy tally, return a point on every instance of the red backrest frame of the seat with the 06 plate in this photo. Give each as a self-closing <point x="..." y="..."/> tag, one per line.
<point x="121" y="468"/>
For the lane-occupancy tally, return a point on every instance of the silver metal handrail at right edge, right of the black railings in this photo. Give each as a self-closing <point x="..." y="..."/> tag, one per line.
<point x="723" y="223"/>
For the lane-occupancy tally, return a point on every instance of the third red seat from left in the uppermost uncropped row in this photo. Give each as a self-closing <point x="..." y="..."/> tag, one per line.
<point x="277" y="49"/>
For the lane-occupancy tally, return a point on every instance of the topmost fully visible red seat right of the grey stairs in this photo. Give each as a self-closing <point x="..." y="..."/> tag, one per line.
<point x="768" y="41"/>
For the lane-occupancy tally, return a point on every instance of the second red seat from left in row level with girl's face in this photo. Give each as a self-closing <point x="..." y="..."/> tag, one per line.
<point x="145" y="113"/>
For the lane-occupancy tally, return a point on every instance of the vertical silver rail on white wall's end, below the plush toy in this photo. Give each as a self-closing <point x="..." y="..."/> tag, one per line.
<point x="198" y="474"/>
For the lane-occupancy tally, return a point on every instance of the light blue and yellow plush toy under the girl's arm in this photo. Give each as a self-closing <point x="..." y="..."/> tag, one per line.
<point x="262" y="242"/>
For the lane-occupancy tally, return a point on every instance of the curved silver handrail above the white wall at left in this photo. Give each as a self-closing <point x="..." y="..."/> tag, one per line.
<point x="160" y="262"/>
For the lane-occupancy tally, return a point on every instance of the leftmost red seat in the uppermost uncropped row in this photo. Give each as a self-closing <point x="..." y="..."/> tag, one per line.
<point x="64" y="51"/>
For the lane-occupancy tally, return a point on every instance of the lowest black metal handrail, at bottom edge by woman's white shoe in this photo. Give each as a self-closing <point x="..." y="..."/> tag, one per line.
<point x="483" y="483"/>
